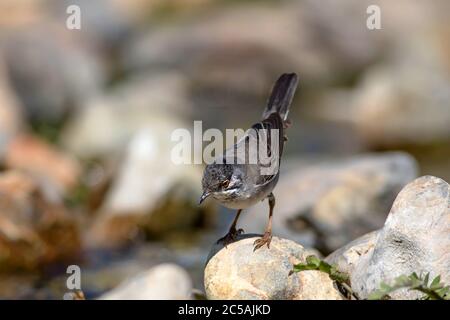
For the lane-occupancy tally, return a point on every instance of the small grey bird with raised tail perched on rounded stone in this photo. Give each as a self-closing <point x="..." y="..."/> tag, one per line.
<point x="239" y="185"/>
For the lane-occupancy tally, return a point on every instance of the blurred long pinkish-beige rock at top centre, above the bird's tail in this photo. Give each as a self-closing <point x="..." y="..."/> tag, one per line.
<point x="212" y="38"/>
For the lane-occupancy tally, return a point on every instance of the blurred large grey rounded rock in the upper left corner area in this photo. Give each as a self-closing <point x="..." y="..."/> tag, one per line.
<point x="51" y="70"/>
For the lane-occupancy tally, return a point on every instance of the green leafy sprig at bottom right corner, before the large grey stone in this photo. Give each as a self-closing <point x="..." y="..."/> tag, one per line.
<point x="433" y="291"/>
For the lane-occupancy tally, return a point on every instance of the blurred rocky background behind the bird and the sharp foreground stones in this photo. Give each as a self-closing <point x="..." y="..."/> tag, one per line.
<point x="86" y="117"/>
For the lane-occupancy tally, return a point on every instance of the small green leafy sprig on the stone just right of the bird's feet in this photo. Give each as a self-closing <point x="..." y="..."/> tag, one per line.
<point x="341" y="278"/>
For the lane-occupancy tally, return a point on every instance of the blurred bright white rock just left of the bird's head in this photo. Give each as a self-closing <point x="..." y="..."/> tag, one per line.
<point x="147" y="173"/>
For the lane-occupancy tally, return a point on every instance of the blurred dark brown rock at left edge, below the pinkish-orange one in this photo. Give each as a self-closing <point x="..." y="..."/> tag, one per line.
<point x="34" y="230"/>
